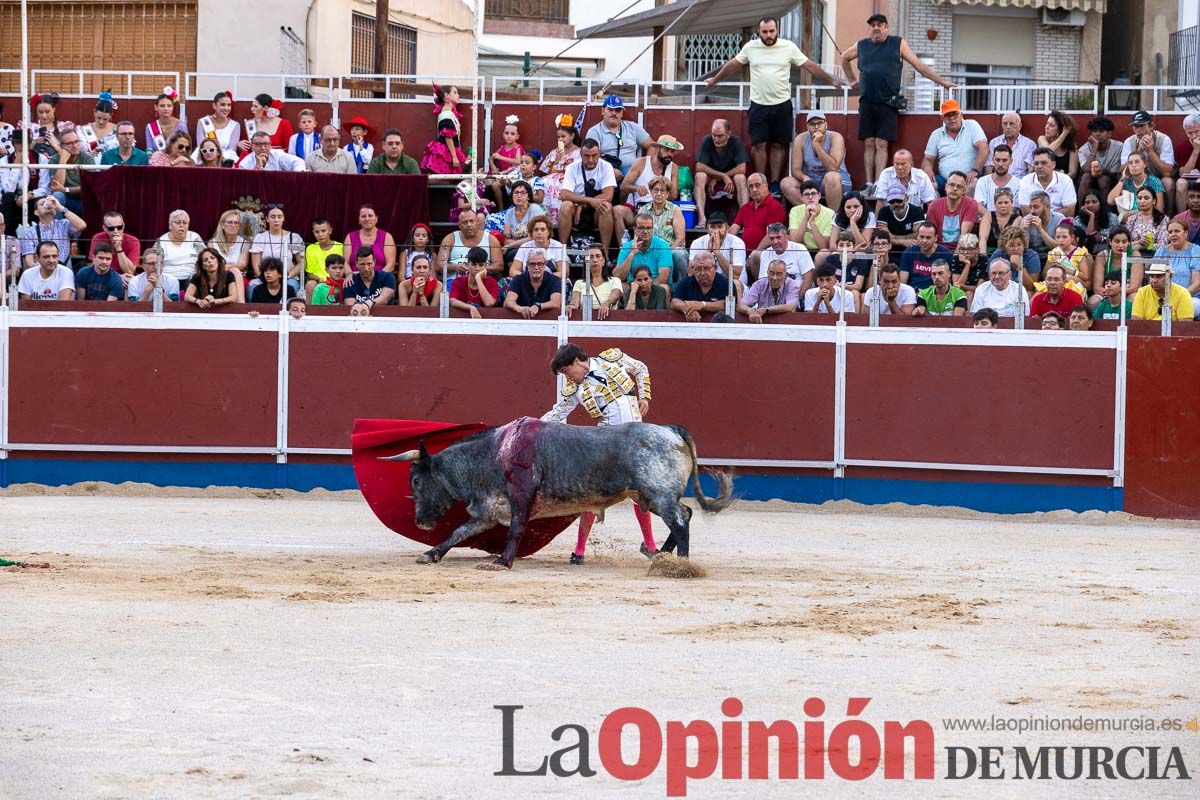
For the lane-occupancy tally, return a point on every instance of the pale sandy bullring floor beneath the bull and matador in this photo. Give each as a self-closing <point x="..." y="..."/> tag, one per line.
<point x="239" y="647"/>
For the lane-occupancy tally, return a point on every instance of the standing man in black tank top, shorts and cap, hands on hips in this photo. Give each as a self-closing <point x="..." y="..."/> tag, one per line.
<point x="881" y="59"/>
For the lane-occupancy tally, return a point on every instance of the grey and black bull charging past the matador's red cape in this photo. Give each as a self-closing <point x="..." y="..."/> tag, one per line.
<point x="531" y="470"/>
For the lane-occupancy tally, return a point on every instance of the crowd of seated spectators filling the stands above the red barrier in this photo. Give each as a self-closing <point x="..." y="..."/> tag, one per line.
<point x="1005" y="224"/>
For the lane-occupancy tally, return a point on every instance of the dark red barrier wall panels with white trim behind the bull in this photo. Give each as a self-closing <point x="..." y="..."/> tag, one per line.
<point x="743" y="400"/>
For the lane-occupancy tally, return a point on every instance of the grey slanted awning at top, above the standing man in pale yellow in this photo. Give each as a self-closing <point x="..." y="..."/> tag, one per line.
<point x="703" y="17"/>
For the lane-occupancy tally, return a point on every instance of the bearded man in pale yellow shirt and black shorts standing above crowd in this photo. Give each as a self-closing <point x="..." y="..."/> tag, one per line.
<point x="772" y="119"/>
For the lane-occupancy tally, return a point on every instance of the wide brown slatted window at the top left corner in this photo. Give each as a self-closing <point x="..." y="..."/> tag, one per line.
<point x="117" y="37"/>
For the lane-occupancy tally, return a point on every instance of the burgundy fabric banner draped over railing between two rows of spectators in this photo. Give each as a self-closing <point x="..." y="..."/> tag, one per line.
<point x="148" y="195"/>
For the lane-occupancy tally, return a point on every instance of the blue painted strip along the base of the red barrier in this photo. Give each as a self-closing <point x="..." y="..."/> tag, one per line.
<point x="999" y="498"/>
